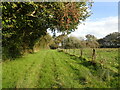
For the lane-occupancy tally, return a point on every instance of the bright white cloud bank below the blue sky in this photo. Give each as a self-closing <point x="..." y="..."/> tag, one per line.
<point x="100" y="28"/>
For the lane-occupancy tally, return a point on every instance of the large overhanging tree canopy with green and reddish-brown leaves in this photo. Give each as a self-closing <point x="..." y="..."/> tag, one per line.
<point x="25" y="22"/>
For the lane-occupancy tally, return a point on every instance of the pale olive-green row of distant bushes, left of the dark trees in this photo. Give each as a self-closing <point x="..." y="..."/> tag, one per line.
<point x="74" y="42"/>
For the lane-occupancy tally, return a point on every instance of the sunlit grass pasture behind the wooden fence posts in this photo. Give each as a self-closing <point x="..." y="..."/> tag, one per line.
<point x="106" y="56"/>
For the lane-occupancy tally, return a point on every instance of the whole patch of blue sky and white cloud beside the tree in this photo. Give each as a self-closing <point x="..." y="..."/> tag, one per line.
<point x="103" y="21"/>
